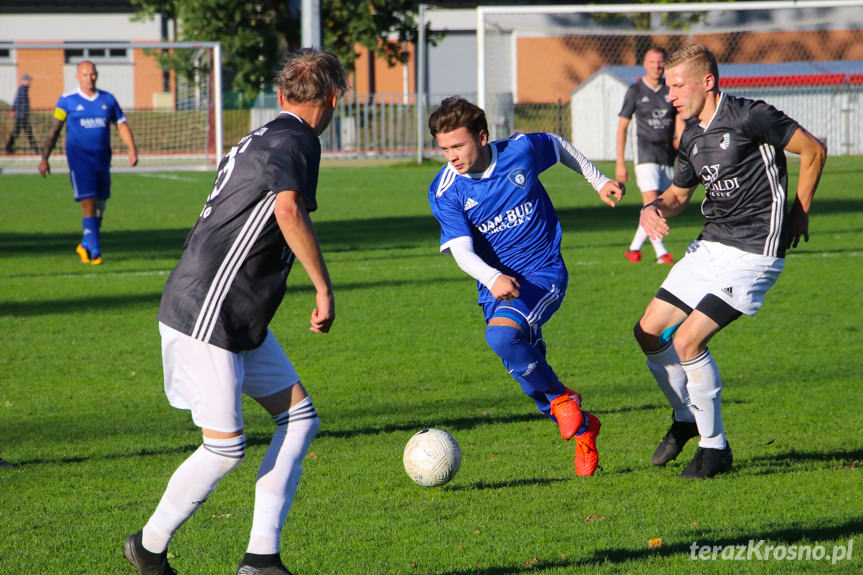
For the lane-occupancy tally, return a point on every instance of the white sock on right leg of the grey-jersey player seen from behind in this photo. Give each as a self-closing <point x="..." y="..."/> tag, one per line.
<point x="279" y="475"/>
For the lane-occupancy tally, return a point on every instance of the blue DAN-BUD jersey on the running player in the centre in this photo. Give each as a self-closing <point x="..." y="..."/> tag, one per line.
<point x="505" y="210"/>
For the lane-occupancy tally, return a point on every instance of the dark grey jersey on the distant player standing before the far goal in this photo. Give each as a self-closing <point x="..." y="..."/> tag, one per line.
<point x="653" y="136"/>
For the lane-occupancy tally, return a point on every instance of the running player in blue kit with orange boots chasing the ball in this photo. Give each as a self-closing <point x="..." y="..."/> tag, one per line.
<point x="499" y="224"/>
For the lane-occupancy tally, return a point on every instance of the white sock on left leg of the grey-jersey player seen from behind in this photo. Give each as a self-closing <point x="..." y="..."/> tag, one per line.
<point x="191" y="485"/>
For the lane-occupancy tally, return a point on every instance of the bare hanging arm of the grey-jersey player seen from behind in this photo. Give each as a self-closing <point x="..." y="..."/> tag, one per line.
<point x="297" y="229"/>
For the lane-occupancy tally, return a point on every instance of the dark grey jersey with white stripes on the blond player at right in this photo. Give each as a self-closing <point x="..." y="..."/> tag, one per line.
<point x="740" y="160"/>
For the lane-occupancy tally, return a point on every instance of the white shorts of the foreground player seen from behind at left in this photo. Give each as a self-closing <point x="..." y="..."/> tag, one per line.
<point x="210" y="381"/>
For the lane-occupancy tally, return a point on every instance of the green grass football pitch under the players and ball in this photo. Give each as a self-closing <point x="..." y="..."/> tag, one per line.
<point x="84" y="417"/>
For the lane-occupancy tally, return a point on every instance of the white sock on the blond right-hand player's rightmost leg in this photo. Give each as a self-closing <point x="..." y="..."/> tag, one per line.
<point x="705" y="389"/>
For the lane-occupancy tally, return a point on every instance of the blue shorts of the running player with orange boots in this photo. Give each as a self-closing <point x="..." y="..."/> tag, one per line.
<point x="539" y="297"/>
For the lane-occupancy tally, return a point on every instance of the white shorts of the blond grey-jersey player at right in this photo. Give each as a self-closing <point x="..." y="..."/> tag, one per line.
<point x="740" y="279"/>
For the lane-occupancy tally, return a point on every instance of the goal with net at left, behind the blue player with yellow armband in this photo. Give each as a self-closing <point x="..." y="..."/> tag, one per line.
<point x="169" y="92"/>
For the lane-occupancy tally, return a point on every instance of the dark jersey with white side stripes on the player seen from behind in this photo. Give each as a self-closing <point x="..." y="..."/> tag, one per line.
<point x="231" y="276"/>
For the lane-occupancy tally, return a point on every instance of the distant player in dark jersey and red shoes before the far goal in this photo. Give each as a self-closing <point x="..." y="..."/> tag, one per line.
<point x="654" y="143"/>
